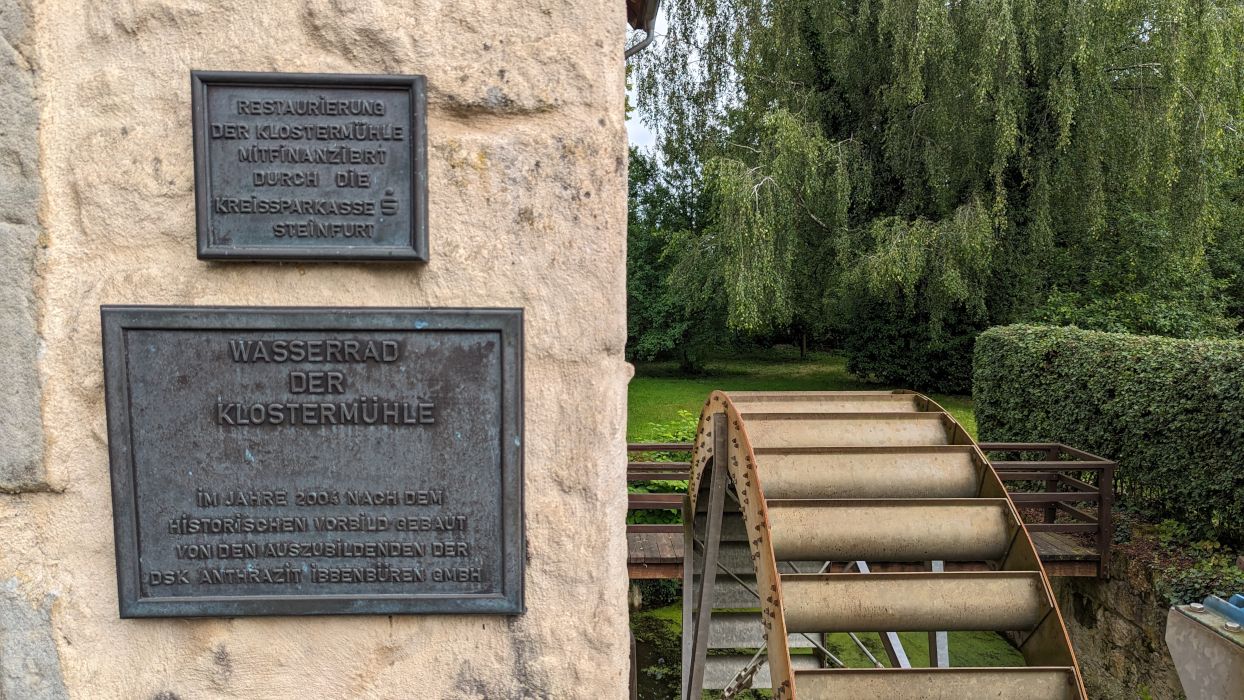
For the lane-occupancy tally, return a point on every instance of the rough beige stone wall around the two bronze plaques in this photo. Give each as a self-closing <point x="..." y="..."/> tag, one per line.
<point x="528" y="210"/>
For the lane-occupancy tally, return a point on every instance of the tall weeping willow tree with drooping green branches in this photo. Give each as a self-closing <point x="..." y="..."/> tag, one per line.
<point x="898" y="175"/>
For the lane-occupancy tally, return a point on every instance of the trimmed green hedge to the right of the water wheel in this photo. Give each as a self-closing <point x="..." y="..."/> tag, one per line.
<point x="1171" y="412"/>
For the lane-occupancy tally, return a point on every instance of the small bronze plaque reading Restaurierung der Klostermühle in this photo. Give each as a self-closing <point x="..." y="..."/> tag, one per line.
<point x="310" y="167"/>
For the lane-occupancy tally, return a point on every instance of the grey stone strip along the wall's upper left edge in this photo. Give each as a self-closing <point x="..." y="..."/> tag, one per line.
<point x="21" y="418"/>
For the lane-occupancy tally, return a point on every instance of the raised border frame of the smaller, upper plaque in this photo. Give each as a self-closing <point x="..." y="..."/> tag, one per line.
<point x="415" y="251"/>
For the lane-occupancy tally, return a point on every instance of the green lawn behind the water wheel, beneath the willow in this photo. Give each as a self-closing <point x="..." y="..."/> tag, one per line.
<point x="660" y="391"/>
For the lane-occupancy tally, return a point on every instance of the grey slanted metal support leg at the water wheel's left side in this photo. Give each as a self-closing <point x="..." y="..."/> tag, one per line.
<point x="703" y="614"/>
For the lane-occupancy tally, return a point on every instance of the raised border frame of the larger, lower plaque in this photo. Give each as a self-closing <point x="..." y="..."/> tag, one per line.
<point x="509" y="323"/>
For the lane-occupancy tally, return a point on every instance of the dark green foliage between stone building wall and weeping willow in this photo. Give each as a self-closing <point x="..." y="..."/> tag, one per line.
<point x="670" y="313"/>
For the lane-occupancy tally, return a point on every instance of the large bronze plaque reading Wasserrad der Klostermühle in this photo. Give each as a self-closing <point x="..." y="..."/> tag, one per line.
<point x="315" y="461"/>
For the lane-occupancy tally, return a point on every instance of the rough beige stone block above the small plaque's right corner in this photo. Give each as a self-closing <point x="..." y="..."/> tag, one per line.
<point x="531" y="59"/>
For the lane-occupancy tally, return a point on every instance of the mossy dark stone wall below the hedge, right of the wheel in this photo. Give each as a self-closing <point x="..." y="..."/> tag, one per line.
<point x="1119" y="631"/>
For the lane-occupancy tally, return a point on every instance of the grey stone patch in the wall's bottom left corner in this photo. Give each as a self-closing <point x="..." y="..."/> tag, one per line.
<point x="29" y="663"/>
